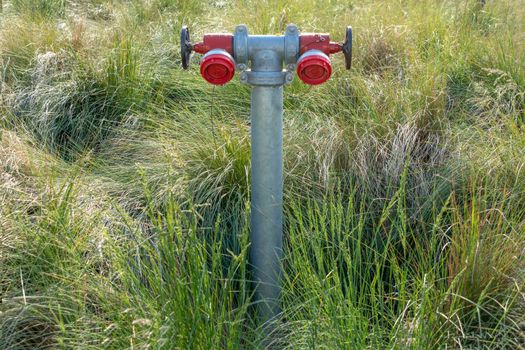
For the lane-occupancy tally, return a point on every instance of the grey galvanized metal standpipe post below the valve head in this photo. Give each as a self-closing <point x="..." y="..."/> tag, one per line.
<point x="267" y="196"/>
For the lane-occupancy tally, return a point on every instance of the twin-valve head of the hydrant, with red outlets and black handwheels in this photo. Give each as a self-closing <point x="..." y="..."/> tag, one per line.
<point x="288" y="49"/>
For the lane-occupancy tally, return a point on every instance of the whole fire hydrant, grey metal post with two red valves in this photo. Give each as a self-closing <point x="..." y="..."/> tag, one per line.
<point x="260" y="60"/>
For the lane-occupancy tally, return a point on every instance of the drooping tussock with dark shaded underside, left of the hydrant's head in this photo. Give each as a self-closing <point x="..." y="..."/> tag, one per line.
<point x="73" y="109"/>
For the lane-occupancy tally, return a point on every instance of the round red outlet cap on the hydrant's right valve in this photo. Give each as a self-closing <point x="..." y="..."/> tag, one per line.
<point x="314" y="67"/>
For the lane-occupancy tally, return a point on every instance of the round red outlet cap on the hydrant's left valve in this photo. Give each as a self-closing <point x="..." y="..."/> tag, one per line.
<point x="217" y="67"/>
